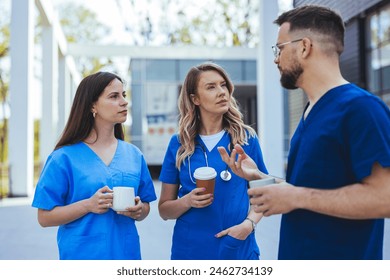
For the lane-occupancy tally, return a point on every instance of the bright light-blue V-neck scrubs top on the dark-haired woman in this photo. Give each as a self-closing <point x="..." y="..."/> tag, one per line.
<point x="73" y="173"/>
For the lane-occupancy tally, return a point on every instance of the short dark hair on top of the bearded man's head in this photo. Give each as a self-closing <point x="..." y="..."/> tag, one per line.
<point x="317" y="19"/>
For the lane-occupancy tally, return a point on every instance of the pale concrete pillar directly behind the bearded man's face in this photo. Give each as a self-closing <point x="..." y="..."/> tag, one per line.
<point x="269" y="92"/>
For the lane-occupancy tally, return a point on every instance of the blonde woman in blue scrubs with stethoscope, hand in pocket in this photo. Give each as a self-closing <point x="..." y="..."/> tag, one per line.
<point x="219" y="225"/>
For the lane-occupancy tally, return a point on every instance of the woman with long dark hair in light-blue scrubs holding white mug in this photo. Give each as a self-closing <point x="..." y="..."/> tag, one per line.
<point x="74" y="190"/>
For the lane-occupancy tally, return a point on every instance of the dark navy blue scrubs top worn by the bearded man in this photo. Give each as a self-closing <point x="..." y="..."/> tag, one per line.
<point x="346" y="132"/>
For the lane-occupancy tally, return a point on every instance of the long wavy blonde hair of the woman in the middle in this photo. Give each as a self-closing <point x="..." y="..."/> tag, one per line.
<point x="189" y="119"/>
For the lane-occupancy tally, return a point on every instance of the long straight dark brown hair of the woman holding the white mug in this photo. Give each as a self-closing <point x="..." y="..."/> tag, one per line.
<point x="81" y="121"/>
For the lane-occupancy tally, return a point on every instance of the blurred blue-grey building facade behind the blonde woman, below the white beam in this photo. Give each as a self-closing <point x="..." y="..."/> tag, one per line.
<point x="155" y="87"/>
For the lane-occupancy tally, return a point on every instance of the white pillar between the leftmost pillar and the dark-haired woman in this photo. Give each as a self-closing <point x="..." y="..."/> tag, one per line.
<point x="49" y="120"/>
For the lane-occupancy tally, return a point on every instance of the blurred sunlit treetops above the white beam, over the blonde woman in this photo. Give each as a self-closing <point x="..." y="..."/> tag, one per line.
<point x="215" y="23"/>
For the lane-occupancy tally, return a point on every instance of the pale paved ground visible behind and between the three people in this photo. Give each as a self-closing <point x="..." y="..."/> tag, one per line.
<point x="22" y="238"/>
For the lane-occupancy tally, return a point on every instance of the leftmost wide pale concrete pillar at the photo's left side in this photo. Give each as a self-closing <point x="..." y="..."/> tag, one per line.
<point x="21" y="131"/>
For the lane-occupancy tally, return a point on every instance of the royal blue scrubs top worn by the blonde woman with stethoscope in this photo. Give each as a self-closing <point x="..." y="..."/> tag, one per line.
<point x="194" y="231"/>
